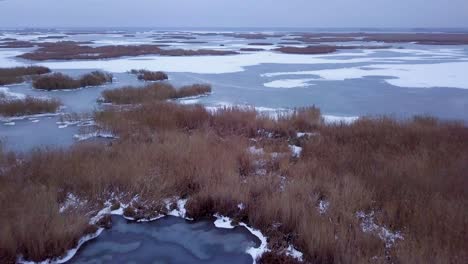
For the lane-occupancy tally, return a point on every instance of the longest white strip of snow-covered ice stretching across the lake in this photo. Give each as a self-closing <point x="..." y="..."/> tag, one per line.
<point x="212" y="64"/>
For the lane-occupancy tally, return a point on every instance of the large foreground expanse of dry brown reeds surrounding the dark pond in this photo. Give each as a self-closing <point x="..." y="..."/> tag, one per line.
<point x="412" y="174"/>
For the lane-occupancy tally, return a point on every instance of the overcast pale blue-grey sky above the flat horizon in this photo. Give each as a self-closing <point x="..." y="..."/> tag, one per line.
<point x="234" y="13"/>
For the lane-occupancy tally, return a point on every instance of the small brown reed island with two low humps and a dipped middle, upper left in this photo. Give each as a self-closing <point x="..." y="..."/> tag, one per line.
<point x="60" y="81"/>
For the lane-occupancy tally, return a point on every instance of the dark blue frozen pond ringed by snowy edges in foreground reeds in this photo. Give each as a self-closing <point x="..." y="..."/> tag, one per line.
<point x="167" y="240"/>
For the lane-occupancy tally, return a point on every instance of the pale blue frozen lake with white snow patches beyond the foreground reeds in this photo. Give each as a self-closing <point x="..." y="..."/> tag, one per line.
<point x="401" y="81"/>
